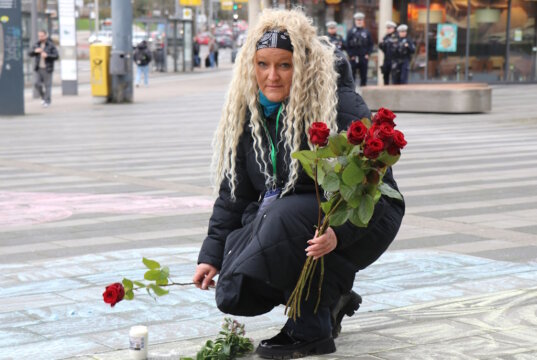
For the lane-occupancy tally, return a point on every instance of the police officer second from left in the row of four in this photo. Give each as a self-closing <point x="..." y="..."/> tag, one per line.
<point x="359" y="46"/>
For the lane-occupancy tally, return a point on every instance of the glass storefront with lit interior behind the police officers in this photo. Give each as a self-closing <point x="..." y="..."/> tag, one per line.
<point x="456" y="40"/>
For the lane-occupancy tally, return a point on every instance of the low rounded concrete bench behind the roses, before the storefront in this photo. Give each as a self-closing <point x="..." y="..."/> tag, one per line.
<point x="432" y="98"/>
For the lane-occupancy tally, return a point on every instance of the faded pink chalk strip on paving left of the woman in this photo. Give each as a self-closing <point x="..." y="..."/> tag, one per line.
<point x="27" y="208"/>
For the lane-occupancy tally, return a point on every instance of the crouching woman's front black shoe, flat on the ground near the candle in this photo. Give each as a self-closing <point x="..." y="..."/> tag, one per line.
<point x="284" y="346"/>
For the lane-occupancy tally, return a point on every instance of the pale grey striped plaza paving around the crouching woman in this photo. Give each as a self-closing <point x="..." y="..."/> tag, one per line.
<point x="87" y="189"/>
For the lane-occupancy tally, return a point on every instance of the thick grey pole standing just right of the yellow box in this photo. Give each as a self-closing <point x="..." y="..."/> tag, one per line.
<point x="121" y="54"/>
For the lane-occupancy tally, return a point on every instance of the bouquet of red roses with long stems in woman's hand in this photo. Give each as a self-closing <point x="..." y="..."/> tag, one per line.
<point x="349" y="166"/>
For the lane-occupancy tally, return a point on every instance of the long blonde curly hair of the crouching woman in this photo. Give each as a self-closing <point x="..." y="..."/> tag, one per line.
<point x="312" y="98"/>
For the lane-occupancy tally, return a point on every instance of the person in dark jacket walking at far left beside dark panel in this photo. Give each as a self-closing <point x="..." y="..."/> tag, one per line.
<point x="45" y="53"/>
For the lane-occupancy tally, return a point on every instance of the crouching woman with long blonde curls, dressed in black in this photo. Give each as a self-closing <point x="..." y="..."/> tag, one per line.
<point x="262" y="226"/>
